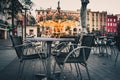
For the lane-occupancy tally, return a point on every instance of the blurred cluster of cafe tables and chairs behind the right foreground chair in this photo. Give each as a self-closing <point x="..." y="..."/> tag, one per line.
<point x="104" y="45"/>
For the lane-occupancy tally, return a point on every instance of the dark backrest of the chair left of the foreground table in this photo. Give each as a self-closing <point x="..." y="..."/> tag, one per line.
<point x="17" y="40"/>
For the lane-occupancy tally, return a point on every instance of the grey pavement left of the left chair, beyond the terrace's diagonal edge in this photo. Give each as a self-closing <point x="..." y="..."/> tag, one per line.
<point x="7" y="53"/>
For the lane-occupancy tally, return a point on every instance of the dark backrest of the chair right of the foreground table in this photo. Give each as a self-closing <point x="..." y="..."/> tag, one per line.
<point x="87" y="40"/>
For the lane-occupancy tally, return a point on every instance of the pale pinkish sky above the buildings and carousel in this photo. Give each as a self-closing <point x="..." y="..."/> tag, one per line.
<point x="111" y="6"/>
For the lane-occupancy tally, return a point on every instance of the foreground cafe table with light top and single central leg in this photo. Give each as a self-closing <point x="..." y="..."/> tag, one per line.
<point x="49" y="42"/>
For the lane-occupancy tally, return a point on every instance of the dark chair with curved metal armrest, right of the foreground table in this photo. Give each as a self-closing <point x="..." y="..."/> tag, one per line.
<point x="78" y="55"/>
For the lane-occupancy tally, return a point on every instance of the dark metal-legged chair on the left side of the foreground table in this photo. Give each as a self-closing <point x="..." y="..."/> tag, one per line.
<point x="20" y="49"/>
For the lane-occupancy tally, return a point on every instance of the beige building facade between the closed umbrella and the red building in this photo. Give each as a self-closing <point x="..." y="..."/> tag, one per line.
<point x="96" y="21"/>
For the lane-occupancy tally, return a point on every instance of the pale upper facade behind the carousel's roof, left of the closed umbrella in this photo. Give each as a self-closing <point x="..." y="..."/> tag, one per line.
<point x="50" y="14"/>
